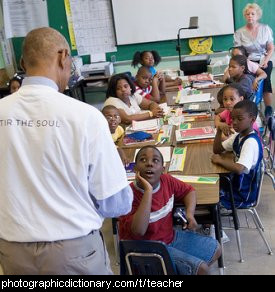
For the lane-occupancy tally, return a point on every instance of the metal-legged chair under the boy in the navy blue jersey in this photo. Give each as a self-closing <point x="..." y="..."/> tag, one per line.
<point x="252" y="210"/>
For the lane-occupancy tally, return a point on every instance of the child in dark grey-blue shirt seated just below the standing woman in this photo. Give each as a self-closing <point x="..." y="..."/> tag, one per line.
<point x="239" y="73"/>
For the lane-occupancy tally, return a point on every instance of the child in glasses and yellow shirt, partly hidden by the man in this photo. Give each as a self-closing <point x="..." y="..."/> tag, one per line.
<point x="112" y="116"/>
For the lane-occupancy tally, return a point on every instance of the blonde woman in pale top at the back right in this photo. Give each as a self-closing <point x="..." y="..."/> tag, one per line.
<point x="257" y="38"/>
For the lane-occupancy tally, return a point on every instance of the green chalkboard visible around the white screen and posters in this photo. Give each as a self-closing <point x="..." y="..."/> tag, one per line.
<point x="57" y="20"/>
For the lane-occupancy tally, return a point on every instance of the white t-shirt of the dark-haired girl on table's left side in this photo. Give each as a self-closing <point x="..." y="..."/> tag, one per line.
<point x="135" y="101"/>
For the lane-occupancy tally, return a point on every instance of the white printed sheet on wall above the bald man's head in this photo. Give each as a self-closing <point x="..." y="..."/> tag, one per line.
<point x="22" y="16"/>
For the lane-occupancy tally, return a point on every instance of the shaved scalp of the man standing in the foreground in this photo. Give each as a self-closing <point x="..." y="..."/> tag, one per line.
<point x="41" y="46"/>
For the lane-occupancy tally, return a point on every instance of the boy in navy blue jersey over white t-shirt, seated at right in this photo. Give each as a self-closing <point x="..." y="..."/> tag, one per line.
<point x="248" y="152"/>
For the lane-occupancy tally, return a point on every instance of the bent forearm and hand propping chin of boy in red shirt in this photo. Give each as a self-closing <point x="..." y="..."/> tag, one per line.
<point x="141" y="218"/>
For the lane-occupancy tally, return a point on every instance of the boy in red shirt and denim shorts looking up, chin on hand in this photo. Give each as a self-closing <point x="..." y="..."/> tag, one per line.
<point x="151" y="216"/>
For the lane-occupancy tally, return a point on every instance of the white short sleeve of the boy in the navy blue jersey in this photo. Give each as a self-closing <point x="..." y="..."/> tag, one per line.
<point x="249" y="154"/>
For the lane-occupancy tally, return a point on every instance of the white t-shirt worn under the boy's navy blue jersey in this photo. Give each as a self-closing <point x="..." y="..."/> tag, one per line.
<point x="249" y="154"/>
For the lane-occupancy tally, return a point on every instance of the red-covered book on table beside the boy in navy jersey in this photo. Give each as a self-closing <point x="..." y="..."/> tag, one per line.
<point x="195" y="133"/>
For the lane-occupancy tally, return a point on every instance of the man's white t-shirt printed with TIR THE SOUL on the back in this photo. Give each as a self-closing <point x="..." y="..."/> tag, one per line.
<point x="56" y="153"/>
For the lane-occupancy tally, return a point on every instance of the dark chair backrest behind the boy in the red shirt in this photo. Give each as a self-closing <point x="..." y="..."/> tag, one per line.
<point x="145" y="257"/>
